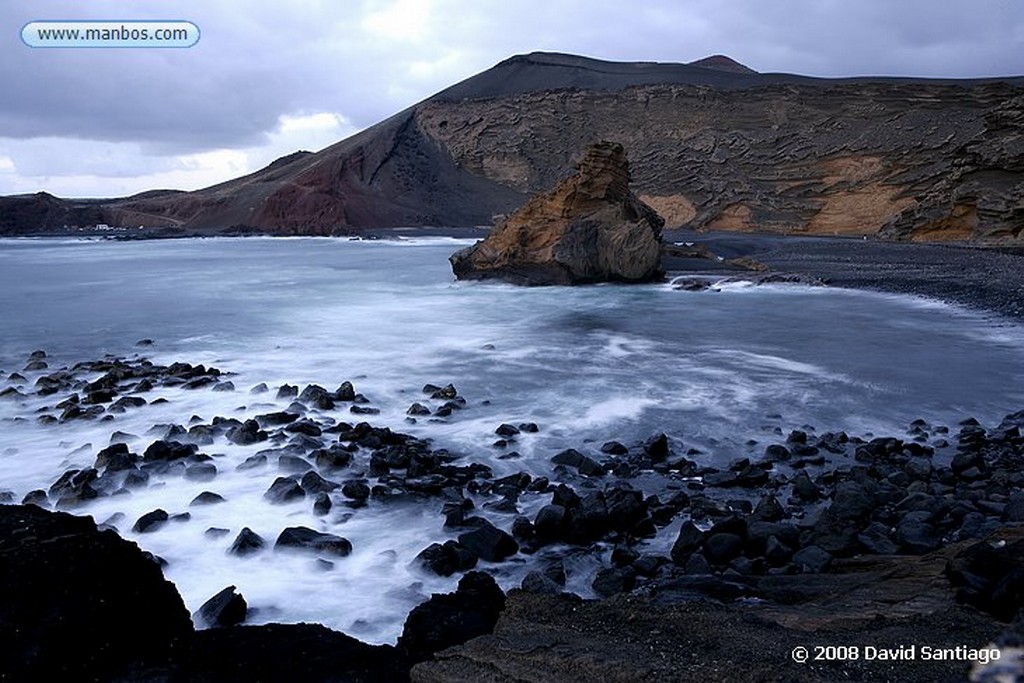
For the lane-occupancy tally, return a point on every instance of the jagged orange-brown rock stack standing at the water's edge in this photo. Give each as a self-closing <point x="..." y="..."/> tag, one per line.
<point x="589" y="229"/>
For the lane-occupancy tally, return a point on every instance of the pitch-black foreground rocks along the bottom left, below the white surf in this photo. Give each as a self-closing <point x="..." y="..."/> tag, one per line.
<point x="86" y="605"/>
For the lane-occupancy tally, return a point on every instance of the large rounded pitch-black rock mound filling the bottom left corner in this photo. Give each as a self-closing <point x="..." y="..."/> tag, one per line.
<point x="80" y="605"/>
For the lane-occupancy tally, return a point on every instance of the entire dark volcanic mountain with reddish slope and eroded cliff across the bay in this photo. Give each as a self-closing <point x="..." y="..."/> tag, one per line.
<point x="713" y="145"/>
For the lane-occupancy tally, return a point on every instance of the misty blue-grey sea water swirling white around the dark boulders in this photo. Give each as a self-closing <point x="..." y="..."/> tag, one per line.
<point x="714" y="370"/>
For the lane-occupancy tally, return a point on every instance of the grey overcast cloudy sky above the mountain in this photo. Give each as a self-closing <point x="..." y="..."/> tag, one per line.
<point x="270" y="77"/>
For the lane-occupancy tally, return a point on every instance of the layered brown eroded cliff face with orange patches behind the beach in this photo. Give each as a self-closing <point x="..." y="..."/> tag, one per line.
<point x="906" y="161"/>
